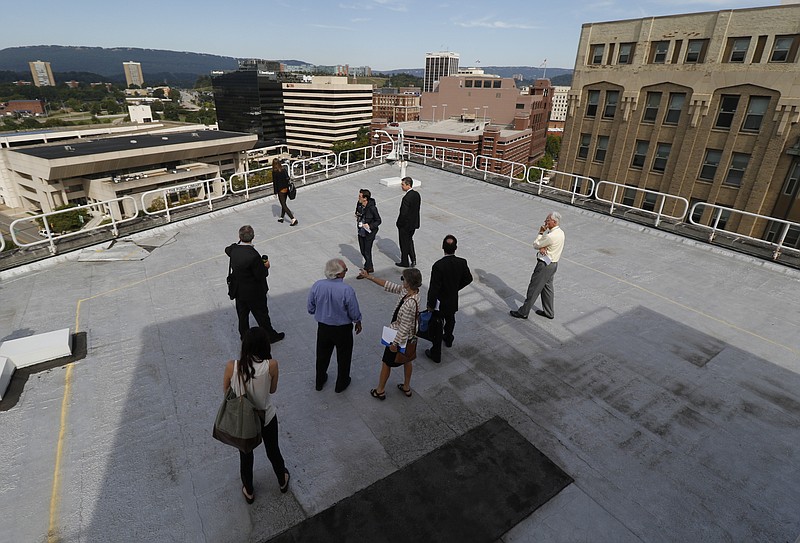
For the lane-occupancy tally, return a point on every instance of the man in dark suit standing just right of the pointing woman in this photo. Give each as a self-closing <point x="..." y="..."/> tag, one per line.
<point x="448" y="275"/>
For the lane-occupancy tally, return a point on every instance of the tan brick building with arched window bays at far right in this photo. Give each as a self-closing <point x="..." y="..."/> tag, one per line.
<point x="703" y="106"/>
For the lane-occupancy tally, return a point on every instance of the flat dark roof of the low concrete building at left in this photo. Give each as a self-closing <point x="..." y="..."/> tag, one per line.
<point x="124" y="143"/>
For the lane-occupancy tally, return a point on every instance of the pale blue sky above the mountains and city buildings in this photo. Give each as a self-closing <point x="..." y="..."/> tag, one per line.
<point x="382" y="34"/>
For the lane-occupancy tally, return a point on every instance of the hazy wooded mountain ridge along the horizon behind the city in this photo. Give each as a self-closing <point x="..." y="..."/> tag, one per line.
<point x="172" y="67"/>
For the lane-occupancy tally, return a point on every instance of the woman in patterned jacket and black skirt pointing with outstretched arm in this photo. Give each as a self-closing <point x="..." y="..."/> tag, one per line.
<point x="404" y="321"/>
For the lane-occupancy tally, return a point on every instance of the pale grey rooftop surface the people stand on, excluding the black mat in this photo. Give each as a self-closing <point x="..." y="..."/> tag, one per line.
<point x="667" y="387"/>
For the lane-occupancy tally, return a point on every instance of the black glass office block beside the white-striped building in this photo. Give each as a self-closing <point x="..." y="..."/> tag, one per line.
<point x="250" y="99"/>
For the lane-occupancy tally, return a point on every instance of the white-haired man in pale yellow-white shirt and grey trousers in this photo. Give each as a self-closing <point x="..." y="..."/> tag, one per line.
<point x="549" y="244"/>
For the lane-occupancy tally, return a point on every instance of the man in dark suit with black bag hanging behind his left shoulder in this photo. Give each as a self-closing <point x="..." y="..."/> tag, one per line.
<point x="248" y="284"/>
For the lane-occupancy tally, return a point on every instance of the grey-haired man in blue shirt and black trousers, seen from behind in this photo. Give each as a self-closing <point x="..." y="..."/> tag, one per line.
<point x="335" y="308"/>
